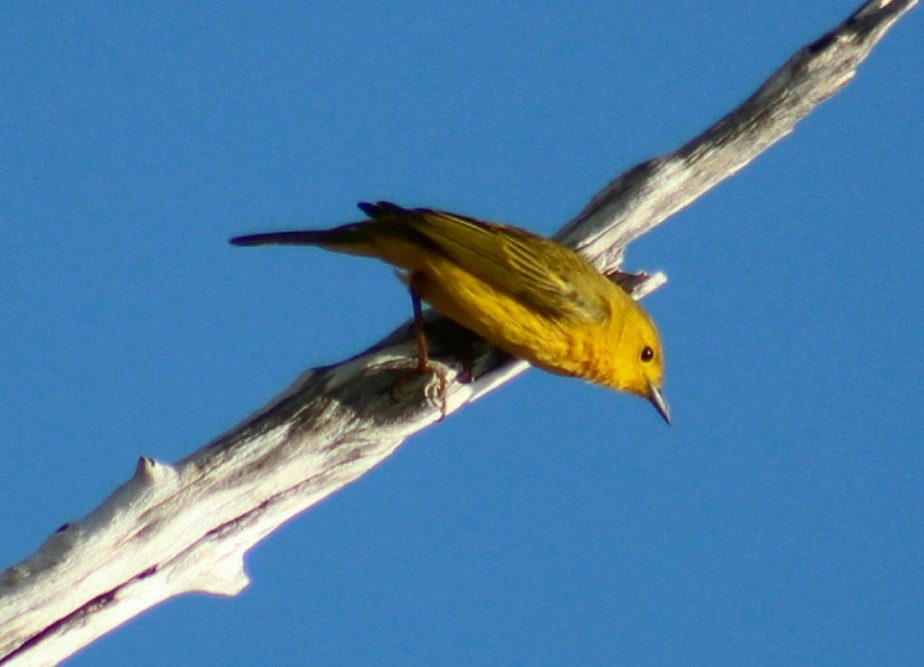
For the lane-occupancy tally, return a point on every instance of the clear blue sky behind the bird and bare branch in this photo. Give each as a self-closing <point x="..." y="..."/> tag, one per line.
<point x="778" y="522"/>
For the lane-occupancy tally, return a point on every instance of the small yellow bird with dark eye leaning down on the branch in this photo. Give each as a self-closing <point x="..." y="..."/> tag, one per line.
<point x="530" y="296"/>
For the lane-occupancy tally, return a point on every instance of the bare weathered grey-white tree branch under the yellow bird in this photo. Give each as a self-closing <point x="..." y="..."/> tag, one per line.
<point x="186" y="527"/>
